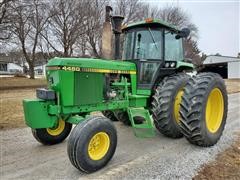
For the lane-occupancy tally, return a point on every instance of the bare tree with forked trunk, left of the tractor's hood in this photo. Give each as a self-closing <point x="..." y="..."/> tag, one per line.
<point x="28" y="21"/>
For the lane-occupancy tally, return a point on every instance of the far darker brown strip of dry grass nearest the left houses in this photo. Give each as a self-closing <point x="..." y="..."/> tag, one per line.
<point x="20" y="82"/>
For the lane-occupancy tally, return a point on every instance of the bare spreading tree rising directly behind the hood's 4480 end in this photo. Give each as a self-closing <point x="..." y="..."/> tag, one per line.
<point x="66" y="25"/>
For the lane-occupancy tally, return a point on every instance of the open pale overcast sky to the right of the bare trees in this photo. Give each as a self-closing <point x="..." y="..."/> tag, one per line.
<point x="217" y="21"/>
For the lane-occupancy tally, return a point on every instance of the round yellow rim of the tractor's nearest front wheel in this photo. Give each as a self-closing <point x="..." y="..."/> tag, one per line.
<point x="98" y="146"/>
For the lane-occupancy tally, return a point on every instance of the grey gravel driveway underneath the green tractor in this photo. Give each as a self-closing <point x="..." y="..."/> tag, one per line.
<point x="151" y="158"/>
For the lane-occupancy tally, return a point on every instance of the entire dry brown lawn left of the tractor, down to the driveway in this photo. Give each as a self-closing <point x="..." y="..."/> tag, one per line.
<point x="12" y="91"/>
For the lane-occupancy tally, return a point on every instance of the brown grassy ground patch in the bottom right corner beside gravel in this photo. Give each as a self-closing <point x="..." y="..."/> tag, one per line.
<point x="226" y="165"/>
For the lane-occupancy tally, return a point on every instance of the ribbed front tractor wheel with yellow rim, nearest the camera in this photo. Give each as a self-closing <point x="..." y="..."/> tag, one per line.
<point x="92" y="144"/>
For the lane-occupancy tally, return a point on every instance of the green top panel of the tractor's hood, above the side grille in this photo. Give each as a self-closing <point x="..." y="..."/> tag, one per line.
<point x="58" y="63"/>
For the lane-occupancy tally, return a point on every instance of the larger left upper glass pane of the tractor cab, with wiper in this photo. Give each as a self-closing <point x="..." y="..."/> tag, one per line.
<point x="143" y="44"/>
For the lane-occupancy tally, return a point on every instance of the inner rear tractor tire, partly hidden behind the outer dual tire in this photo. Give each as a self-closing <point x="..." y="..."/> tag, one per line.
<point x="166" y="104"/>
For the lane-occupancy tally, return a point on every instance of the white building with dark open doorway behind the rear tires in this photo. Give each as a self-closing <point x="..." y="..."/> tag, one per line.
<point x="227" y="67"/>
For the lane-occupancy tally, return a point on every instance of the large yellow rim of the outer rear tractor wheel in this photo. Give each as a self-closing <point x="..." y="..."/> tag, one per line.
<point x="214" y="110"/>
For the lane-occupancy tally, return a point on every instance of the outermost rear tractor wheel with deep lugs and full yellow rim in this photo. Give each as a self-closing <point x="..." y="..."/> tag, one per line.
<point x="204" y="109"/>
